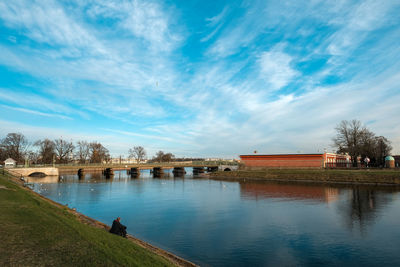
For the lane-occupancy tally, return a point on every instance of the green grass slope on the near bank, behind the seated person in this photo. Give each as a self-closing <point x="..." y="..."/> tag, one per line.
<point x="34" y="232"/>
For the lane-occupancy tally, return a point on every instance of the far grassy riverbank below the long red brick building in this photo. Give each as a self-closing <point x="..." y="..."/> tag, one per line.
<point x="362" y="176"/>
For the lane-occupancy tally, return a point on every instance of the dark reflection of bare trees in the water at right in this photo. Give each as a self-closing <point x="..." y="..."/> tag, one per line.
<point x="363" y="206"/>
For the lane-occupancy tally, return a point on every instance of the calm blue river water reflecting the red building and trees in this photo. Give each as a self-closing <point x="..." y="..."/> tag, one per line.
<point x="218" y="223"/>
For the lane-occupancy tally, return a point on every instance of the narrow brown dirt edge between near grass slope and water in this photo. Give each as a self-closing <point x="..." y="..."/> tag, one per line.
<point x="82" y="218"/>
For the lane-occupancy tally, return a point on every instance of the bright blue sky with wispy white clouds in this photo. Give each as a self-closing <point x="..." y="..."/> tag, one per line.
<point x="199" y="78"/>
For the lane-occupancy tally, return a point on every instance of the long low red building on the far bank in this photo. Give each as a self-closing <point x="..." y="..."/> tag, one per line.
<point x="323" y="160"/>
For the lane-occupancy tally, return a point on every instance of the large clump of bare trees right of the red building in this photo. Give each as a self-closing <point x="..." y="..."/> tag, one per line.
<point x="358" y="141"/>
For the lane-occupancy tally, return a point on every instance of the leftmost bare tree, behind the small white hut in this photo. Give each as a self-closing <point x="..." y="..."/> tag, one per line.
<point x="15" y="145"/>
